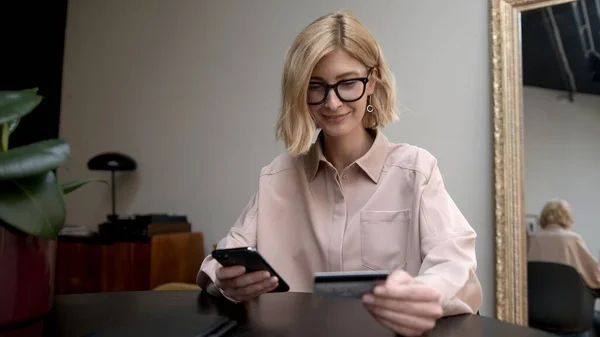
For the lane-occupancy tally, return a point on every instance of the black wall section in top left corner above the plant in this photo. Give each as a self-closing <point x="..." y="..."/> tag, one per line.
<point x="32" y="48"/>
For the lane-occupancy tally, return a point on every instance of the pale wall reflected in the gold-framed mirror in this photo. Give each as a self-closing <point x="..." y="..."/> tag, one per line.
<point x="562" y="156"/>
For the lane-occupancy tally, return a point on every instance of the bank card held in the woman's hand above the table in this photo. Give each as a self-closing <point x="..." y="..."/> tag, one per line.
<point x="347" y="285"/>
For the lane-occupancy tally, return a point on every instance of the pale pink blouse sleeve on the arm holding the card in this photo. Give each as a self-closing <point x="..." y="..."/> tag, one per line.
<point x="447" y="249"/>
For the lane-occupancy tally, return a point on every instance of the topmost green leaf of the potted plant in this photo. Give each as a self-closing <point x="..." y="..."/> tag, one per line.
<point x="16" y="104"/>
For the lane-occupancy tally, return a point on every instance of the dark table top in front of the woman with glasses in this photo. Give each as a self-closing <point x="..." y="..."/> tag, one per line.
<point x="281" y="315"/>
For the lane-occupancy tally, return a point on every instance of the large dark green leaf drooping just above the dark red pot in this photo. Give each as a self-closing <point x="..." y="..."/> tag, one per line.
<point x="34" y="205"/>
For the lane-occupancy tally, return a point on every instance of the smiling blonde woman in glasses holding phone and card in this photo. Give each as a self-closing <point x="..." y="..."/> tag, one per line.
<point x="351" y="200"/>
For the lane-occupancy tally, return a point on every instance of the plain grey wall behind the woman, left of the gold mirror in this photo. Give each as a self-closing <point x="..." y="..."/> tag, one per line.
<point x="190" y="89"/>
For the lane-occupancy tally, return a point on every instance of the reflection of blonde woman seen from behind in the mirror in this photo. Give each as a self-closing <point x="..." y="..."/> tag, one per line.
<point x="555" y="242"/>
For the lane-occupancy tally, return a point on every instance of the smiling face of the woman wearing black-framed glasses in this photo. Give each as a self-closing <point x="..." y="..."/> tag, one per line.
<point x="339" y="112"/>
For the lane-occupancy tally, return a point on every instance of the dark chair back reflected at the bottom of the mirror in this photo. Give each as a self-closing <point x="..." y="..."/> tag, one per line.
<point x="559" y="300"/>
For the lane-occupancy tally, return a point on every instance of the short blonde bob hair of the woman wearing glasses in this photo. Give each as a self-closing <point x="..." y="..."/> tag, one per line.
<point x="339" y="30"/>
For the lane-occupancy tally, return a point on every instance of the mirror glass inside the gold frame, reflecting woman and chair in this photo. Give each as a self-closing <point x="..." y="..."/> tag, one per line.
<point x="561" y="116"/>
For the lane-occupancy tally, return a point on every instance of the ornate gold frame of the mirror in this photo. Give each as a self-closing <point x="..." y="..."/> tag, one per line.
<point x="507" y="100"/>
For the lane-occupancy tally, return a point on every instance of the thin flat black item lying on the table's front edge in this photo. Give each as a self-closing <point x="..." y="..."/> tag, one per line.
<point x="175" y="325"/>
